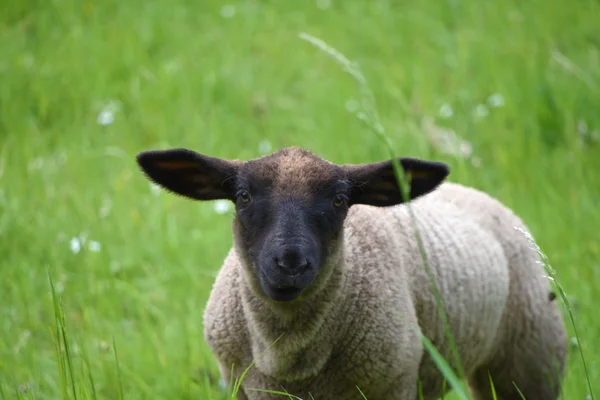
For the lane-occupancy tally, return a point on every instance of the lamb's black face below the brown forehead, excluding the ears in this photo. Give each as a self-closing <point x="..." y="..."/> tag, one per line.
<point x="287" y="235"/>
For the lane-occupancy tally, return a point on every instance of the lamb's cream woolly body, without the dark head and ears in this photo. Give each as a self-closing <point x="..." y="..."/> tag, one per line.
<point x="361" y="328"/>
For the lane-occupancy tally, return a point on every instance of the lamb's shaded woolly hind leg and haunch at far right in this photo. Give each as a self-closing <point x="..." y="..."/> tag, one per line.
<point x="533" y="350"/>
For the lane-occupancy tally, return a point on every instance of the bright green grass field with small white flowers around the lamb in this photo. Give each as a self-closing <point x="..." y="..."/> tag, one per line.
<point x="86" y="85"/>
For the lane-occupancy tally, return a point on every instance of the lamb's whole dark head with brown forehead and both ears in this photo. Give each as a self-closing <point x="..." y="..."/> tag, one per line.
<point x="290" y="205"/>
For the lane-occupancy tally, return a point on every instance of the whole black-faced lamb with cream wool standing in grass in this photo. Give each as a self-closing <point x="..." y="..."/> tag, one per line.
<point x="326" y="290"/>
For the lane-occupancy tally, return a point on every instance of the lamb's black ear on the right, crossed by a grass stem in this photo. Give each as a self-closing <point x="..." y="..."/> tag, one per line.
<point x="377" y="185"/>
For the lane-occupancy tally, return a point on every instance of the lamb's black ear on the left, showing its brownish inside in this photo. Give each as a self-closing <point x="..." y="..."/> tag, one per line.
<point x="190" y="174"/>
